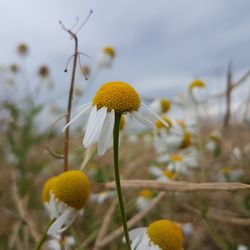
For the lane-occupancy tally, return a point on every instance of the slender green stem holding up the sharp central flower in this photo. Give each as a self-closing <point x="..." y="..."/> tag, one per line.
<point x="117" y="176"/>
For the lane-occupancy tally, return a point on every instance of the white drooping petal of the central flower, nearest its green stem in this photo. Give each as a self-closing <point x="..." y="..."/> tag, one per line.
<point x="106" y="133"/>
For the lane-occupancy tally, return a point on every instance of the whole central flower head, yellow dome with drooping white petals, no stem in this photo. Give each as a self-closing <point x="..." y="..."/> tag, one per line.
<point x="112" y="98"/>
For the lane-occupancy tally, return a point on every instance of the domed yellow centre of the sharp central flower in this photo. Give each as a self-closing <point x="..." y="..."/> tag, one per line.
<point x="119" y="96"/>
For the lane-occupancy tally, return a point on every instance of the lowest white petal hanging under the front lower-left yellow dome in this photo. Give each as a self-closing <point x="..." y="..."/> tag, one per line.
<point x="65" y="219"/>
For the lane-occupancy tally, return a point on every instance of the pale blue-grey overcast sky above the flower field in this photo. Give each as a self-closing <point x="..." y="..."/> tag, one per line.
<point x="161" y="45"/>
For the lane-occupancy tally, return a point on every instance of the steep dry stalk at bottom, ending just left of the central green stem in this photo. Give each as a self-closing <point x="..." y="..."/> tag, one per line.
<point x="105" y="224"/>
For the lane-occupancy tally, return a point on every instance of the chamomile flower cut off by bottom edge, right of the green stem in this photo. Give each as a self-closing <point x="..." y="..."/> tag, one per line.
<point x="160" y="235"/>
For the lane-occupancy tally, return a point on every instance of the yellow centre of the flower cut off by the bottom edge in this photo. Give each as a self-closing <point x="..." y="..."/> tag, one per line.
<point x="165" y="234"/>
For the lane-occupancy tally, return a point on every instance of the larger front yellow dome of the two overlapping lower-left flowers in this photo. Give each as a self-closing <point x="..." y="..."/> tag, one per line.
<point x="73" y="188"/>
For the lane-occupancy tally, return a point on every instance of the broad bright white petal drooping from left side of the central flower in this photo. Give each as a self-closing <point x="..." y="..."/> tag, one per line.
<point x="94" y="126"/>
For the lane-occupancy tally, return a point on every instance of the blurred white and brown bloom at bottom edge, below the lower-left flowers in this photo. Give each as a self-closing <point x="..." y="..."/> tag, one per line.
<point x="60" y="243"/>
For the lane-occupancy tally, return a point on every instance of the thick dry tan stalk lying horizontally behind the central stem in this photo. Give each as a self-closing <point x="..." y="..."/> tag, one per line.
<point x="178" y="186"/>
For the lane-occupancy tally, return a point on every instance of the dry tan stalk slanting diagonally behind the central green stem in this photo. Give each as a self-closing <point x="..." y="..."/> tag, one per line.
<point x="138" y="217"/>
